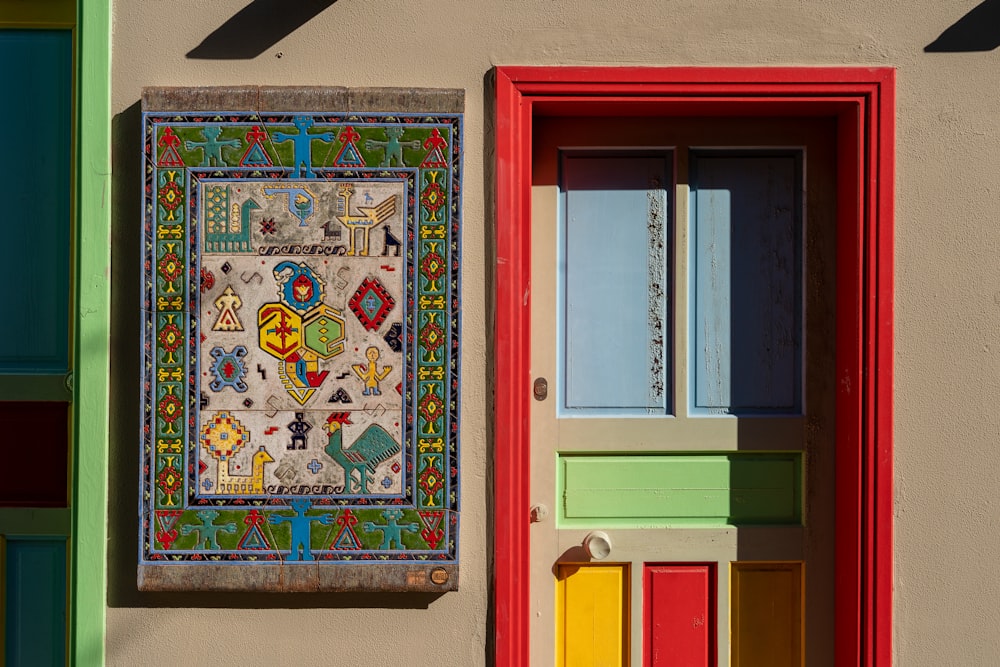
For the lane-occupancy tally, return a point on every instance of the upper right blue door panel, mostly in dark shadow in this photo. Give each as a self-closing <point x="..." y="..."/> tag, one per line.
<point x="747" y="320"/>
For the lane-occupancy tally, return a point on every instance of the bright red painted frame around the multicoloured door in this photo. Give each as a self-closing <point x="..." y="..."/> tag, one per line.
<point x="863" y="102"/>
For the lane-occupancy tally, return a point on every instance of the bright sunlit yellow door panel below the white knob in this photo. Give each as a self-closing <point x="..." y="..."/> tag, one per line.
<point x="592" y="615"/>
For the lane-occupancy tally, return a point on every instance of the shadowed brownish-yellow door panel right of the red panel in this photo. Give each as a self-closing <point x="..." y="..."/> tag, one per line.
<point x="766" y="614"/>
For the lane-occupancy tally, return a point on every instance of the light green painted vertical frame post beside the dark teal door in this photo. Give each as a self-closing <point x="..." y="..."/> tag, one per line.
<point x="91" y="402"/>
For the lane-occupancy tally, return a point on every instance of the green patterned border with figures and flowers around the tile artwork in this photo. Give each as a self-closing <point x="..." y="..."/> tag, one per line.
<point x="170" y="293"/>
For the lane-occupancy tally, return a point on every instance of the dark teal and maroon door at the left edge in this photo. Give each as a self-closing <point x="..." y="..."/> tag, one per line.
<point x="37" y="44"/>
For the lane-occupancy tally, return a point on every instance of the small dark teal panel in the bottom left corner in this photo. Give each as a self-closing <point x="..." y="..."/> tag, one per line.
<point x="35" y="598"/>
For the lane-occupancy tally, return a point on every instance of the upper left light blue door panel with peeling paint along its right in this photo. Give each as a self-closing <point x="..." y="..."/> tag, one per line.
<point x="614" y="335"/>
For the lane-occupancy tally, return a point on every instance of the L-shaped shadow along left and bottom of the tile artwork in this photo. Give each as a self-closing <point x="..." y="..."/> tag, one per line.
<point x="123" y="478"/>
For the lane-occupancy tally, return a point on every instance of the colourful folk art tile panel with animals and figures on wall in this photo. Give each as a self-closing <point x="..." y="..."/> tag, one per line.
<point x="300" y="351"/>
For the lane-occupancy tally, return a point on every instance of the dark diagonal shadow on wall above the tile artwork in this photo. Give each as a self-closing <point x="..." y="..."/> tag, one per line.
<point x="256" y="28"/>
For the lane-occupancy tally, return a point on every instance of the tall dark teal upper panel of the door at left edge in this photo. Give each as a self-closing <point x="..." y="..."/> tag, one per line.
<point x="36" y="117"/>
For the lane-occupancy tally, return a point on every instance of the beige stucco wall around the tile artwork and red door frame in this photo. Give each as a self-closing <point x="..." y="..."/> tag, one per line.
<point x="947" y="591"/>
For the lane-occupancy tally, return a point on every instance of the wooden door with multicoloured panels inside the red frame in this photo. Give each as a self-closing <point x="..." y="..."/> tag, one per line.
<point x="682" y="426"/>
